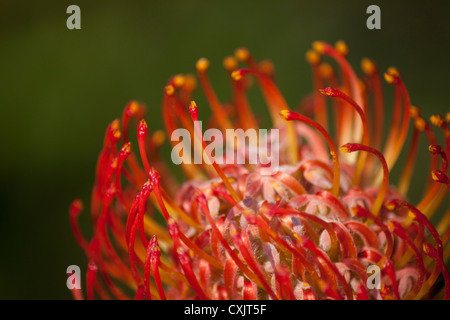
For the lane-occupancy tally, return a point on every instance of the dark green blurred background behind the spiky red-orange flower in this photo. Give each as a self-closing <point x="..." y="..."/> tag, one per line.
<point x="59" y="89"/>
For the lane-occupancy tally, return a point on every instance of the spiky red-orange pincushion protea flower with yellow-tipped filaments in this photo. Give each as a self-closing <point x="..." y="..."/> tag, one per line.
<point x="309" y="230"/>
